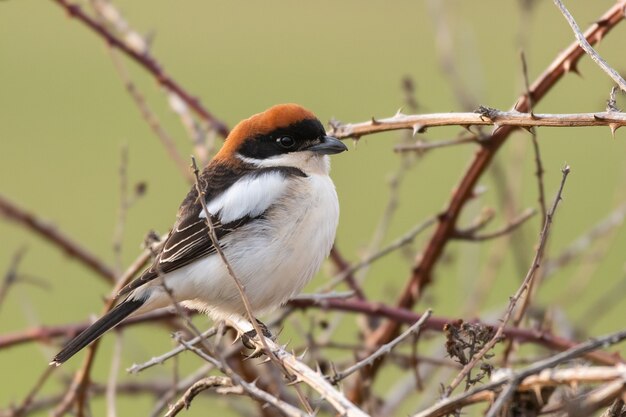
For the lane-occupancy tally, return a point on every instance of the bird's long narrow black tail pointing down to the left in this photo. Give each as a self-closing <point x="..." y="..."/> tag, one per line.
<point x="91" y="333"/>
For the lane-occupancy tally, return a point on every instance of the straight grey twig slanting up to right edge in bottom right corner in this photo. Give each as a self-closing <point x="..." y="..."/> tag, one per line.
<point x="448" y="405"/>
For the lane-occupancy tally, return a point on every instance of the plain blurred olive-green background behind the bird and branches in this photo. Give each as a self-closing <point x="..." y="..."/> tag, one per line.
<point x="65" y="116"/>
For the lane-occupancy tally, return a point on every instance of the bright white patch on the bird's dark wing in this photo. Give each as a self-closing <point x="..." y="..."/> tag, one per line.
<point x="250" y="196"/>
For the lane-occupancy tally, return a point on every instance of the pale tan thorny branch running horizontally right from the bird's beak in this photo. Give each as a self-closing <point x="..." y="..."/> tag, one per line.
<point x="484" y="116"/>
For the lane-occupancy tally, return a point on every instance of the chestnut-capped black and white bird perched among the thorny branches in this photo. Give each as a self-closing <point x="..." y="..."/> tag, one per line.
<point x="274" y="210"/>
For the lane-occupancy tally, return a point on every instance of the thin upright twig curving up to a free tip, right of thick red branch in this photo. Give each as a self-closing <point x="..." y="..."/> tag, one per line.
<point x="522" y="289"/>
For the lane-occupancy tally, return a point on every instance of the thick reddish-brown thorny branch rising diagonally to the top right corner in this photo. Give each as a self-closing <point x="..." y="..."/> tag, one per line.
<point x="425" y="263"/>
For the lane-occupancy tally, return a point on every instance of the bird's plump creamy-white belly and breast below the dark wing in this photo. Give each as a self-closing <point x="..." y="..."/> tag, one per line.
<point x="273" y="257"/>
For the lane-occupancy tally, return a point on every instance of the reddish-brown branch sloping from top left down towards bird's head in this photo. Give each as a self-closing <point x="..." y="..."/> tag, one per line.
<point x="147" y="62"/>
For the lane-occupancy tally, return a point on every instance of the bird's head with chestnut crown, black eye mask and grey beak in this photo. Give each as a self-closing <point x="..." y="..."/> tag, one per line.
<point x="283" y="135"/>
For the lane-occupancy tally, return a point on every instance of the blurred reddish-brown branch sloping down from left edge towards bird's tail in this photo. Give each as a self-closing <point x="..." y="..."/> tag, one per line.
<point x="57" y="238"/>
